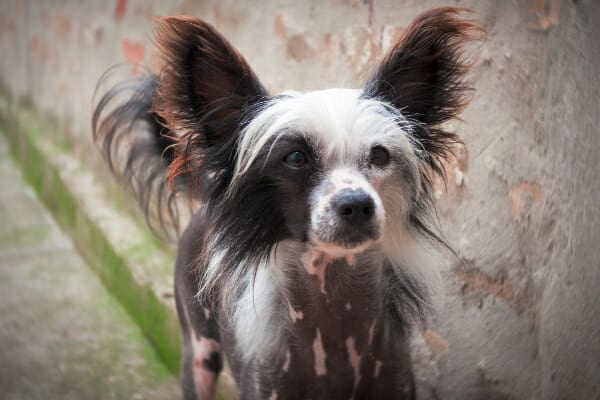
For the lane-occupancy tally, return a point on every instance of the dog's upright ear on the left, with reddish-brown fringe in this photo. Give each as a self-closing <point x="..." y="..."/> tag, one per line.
<point x="204" y="89"/>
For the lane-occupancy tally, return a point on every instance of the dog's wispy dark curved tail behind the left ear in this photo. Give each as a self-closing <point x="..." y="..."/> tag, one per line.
<point x="137" y="148"/>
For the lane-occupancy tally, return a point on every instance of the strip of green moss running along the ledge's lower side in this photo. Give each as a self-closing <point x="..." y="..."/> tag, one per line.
<point x="155" y="318"/>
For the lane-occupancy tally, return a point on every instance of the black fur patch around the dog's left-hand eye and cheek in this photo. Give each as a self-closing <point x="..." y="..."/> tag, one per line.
<point x="269" y="204"/>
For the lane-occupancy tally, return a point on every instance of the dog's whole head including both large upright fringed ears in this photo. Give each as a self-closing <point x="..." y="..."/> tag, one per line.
<point x="342" y="169"/>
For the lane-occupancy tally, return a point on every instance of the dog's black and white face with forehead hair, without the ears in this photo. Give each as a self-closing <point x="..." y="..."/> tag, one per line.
<point x="338" y="163"/>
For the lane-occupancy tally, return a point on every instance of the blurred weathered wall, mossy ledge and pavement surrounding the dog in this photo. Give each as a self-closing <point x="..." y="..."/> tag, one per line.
<point x="520" y="321"/>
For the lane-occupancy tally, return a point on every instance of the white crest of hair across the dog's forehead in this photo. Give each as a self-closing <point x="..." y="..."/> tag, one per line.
<point x="338" y="120"/>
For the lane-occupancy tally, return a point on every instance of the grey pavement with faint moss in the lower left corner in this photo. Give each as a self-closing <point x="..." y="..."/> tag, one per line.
<point x="63" y="335"/>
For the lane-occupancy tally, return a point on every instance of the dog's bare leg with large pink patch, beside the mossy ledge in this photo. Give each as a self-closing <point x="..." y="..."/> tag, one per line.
<point x="201" y="360"/>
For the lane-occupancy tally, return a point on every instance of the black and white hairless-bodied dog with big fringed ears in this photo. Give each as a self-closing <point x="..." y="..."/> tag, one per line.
<point x="299" y="263"/>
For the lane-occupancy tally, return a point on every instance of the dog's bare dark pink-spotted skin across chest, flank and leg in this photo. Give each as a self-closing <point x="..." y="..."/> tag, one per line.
<point x="341" y="343"/>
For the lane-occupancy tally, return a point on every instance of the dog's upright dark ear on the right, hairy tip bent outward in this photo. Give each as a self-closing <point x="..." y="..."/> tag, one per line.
<point x="423" y="76"/>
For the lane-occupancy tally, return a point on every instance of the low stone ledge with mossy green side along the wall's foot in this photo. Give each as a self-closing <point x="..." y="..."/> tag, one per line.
<point x="120" y="249"/>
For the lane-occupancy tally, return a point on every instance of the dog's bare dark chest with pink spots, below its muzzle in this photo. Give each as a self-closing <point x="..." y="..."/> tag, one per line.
<point x="338" y="345"/>
